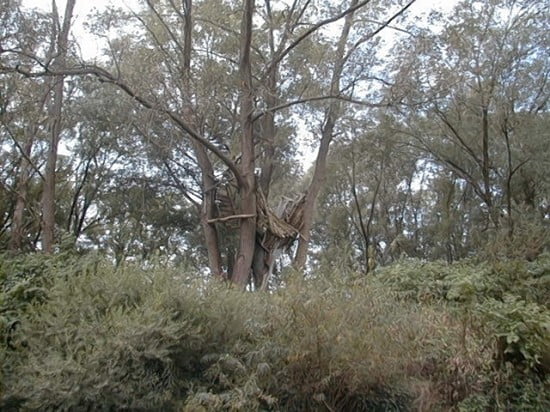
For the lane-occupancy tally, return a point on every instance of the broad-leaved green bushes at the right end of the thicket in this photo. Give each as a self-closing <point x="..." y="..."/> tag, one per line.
<point x="503" y="304"/>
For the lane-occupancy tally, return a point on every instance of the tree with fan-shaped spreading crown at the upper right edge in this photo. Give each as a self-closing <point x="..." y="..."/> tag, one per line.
<point x="470" y="92"/>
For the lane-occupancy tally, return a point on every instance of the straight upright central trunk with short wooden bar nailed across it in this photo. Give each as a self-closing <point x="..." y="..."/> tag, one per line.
<point x="247" y="230"/>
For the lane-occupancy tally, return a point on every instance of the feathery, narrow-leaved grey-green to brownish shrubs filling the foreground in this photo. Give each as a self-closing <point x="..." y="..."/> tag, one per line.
<point x="156" y="339"/>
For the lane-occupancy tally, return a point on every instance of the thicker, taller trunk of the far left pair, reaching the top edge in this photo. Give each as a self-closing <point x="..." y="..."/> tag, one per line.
<point x="55" y="115"/>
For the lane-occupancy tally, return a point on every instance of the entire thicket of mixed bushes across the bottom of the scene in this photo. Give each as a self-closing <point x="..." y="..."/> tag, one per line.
<point x="80" y="334"/>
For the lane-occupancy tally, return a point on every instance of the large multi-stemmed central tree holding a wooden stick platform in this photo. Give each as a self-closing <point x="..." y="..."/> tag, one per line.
<point x="240" y="160"/>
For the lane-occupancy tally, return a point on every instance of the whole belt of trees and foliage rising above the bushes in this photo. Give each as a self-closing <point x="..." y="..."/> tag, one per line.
<point x="186" y="136"/>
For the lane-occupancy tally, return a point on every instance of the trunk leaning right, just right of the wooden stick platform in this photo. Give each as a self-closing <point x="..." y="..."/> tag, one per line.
<point x="319" y="174"/>
